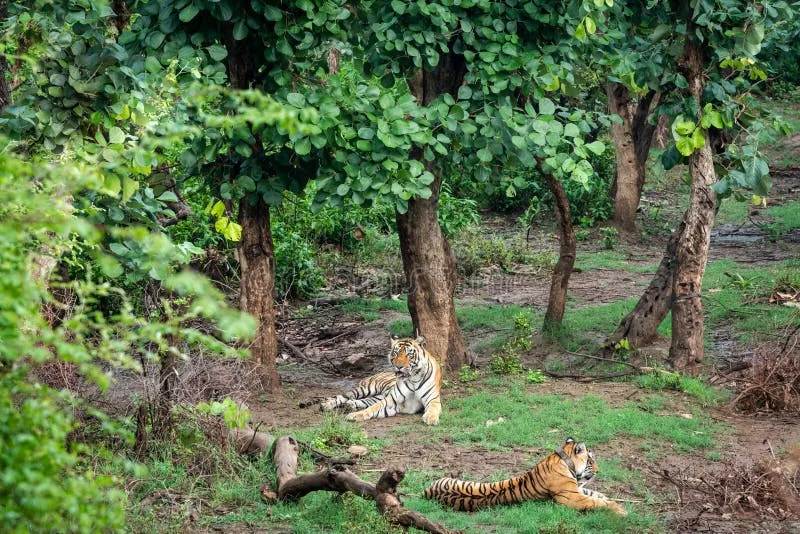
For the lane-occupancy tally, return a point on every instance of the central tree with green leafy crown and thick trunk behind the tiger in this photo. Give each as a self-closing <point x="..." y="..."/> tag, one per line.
<point x="476" y="70"/>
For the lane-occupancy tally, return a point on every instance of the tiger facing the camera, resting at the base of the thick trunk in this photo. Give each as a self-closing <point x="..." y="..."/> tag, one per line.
<point x="411" y="388"/>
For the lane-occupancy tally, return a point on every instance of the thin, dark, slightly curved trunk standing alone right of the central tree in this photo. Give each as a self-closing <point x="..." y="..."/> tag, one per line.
<point x="566" y="255"/>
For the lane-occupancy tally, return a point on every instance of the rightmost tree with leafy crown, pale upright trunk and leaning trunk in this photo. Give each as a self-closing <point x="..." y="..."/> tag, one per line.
<point x="714" y="71"/>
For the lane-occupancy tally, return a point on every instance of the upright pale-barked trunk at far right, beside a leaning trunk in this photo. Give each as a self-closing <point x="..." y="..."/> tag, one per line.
<point x="686" y="350"/>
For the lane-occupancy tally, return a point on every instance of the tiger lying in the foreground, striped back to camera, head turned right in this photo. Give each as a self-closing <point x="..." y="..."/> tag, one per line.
<point x="558" y="477"/>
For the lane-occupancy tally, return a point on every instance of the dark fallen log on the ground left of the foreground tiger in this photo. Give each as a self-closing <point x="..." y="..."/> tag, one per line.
<point x="338" y="478"/>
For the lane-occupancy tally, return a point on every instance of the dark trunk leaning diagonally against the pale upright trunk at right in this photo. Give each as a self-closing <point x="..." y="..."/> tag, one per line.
<point x="640" y="326"/>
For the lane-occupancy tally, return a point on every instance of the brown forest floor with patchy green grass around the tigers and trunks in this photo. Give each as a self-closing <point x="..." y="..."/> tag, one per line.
<point x="669" y="450"/>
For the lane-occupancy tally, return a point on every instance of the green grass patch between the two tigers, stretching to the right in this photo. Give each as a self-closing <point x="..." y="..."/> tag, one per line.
<point x="531" y="420"/>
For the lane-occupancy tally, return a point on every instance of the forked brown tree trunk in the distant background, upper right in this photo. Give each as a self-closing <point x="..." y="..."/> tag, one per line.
<point x="632" y="140"/>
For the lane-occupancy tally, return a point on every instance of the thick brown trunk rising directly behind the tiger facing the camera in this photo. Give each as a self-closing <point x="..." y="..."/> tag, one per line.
<point x="428" y="261"/>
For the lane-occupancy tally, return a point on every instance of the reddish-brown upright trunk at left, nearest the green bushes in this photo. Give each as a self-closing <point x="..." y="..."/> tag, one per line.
<point x="256" y="256"/>
